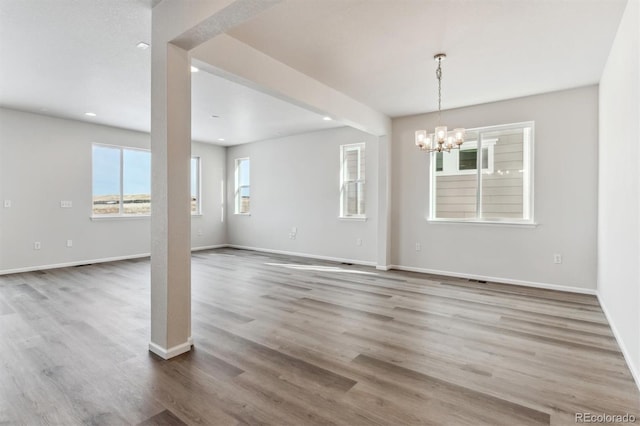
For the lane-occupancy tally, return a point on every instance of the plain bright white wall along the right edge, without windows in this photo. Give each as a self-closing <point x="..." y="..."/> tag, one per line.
<point x="619" y="186"/>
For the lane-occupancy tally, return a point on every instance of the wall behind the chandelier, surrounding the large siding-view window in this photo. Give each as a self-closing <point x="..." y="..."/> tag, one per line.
<point x="565" y="206"/>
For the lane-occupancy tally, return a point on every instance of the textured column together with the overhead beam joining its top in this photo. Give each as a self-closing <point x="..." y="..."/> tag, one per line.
<point x="177" y="27"/>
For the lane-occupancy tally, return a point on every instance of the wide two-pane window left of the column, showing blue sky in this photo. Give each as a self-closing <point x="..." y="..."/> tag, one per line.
<point x="121" y="181"/>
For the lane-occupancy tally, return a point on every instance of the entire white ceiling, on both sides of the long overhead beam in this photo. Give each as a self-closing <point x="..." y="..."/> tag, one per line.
<point x="68" y="57"/>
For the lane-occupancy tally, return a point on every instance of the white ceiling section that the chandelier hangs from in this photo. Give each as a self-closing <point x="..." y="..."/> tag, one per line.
<point x="380" y="52"/>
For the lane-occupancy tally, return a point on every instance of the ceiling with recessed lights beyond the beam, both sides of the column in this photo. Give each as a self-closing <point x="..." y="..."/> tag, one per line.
<point x="68" y="57"/>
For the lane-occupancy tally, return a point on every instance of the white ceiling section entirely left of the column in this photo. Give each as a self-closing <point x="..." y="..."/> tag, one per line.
<point x="68" y="57"/>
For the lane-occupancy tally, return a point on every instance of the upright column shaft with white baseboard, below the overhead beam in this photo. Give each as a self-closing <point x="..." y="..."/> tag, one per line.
<point x="170" y="194"/>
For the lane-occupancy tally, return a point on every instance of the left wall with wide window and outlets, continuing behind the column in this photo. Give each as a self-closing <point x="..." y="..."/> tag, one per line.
<point x="45" y="160"/>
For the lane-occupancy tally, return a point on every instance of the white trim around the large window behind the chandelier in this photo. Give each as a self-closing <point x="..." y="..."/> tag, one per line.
<point x="528" y="182"/>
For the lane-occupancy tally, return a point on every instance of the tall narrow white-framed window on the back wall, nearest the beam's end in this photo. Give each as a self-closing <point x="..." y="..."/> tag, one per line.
<point x="352" y="177"/>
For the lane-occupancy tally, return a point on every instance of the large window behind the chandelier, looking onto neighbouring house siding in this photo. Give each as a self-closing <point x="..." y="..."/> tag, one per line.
<point x="489" y="179"/>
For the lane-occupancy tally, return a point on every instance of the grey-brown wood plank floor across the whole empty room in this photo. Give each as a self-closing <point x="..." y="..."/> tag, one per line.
<point x="282" y="340"/>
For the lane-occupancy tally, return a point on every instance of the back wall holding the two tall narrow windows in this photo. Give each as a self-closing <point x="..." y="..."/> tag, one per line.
<point x="295" y="182"/>
